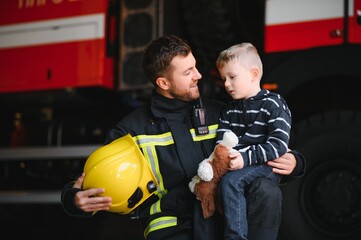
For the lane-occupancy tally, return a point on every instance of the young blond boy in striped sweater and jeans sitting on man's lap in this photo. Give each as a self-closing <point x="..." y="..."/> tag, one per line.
<point x="262" y="122"/>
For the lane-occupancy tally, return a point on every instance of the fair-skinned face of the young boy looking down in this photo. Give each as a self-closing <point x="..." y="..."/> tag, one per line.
<point x="240" y="82"/>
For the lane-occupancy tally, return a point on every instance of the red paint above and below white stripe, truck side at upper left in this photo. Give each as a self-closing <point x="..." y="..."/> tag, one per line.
<point x="70" y="64"/>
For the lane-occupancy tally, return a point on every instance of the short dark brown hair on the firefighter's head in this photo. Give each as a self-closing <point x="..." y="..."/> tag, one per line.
<point x="159" y="54"/>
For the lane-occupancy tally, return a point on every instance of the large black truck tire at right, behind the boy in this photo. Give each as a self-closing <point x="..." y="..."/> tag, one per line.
<point x="325" y="203"/>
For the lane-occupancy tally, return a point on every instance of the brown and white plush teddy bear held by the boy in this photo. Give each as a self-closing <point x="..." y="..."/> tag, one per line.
<point x="204" y="185"/>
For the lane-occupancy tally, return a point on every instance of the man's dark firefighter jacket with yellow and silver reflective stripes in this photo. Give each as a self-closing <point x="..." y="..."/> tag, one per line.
<point x="165" y="131"/>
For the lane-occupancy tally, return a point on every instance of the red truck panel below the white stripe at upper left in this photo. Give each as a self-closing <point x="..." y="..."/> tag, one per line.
<point x="76" y="64"/>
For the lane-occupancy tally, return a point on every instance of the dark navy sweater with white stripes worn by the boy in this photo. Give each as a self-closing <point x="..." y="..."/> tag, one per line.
<point x="262" y="124"/>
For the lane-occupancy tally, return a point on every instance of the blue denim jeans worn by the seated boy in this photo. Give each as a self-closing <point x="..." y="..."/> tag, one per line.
<point x="232" y="193"/>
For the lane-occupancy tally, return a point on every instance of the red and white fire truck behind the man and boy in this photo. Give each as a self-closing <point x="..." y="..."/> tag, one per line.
<point x="70" y="69"/>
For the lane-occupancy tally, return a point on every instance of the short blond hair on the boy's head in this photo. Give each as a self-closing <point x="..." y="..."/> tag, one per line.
<point x="244" y="53"/>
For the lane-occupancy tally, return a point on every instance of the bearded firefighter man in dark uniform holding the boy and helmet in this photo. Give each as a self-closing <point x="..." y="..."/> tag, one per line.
<point x="175" y="131"/>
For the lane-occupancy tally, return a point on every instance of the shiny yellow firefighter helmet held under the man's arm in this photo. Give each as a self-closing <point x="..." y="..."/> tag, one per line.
<point x="121" y="169"/>
